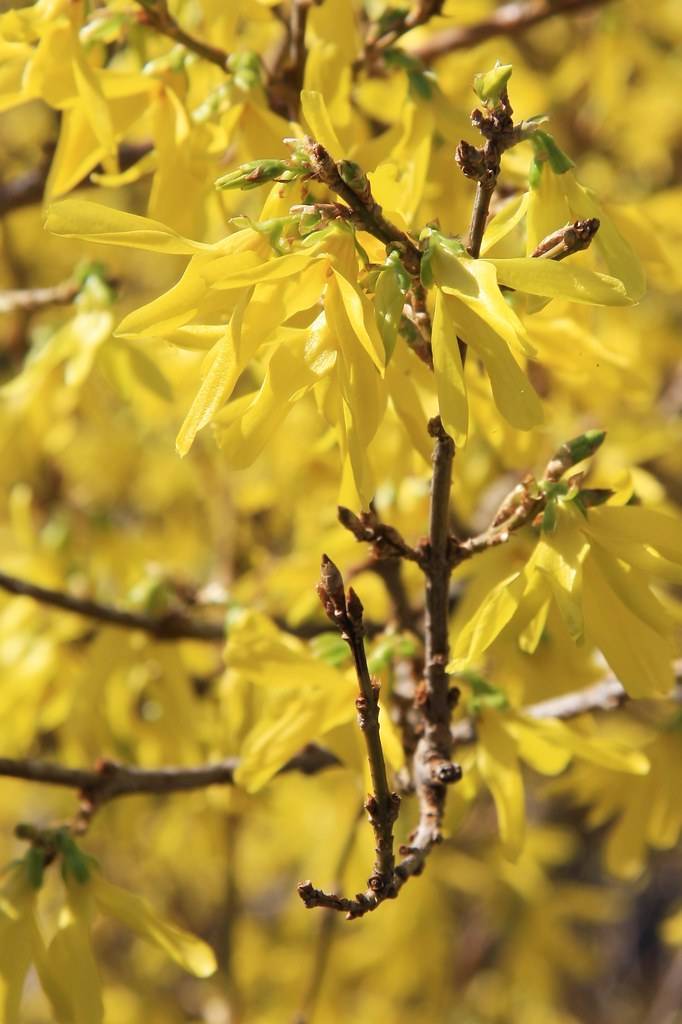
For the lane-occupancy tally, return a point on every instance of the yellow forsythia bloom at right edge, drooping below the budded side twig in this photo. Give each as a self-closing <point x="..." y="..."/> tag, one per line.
<point x="598" y="568"/>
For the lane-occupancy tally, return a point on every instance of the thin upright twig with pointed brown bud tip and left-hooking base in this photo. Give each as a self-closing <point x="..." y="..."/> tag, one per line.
<point x="346" y="612"/>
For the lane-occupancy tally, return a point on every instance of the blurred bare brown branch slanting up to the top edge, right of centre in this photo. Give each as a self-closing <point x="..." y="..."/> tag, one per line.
<point x="508" y="21"/>
